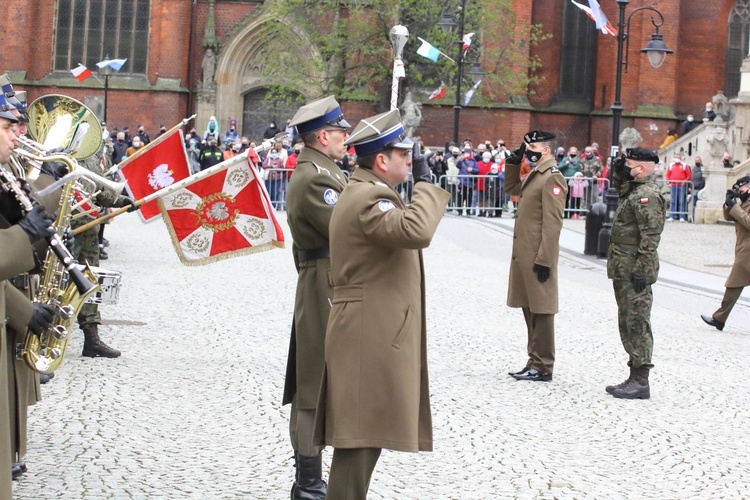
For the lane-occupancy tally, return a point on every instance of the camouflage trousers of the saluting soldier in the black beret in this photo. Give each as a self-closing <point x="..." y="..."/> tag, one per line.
<point x="634" y="320"/>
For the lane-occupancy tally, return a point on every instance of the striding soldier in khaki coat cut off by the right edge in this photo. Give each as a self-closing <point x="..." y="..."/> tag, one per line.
<point x="739" y="276"/>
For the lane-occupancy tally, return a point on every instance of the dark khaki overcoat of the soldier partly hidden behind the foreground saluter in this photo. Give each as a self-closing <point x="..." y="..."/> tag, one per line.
<point x="312" y="193"/>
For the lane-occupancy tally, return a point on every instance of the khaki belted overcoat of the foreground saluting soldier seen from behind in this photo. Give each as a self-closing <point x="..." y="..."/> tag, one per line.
<point x="375" y="391"/>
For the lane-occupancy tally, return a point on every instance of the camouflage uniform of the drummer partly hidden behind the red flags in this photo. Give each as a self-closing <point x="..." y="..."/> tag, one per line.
<point x="87" y="243"/>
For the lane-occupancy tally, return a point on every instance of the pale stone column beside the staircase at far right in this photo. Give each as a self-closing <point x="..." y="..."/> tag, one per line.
<point x="711" y="198"/>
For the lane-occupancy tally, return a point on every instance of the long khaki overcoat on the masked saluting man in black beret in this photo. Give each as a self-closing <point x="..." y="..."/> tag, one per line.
<point x="536" y="235"/>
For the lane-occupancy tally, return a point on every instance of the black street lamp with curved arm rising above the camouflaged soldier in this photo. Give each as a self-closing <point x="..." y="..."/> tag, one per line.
<point x="656" y="50"/>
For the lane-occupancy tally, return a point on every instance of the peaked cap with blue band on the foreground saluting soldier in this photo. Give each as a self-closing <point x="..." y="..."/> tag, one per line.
<point x="379" y="132"/>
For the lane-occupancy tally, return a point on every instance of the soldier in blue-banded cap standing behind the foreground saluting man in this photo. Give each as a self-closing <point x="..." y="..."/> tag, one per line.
<point x="311" y="196"/>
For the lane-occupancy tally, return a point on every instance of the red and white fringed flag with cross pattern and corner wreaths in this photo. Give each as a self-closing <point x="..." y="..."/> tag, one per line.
<point x="224" y="215"/>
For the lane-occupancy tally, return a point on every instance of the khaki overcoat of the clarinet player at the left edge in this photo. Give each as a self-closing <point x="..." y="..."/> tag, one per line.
<point x="15" y="257"/>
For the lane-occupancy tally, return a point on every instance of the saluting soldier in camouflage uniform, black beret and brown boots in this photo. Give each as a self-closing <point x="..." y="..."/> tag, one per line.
<point x="633" y="263"/>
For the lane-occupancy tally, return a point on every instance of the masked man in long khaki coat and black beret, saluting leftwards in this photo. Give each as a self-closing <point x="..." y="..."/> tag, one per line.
<point x="536" y="247"/>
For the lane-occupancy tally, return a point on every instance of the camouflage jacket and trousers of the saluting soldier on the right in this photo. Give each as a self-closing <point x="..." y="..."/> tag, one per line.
<point x="636" y="232"/>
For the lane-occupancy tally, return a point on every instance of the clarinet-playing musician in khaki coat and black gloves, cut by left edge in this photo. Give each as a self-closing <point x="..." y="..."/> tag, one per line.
<point x="18" y="312"/>
